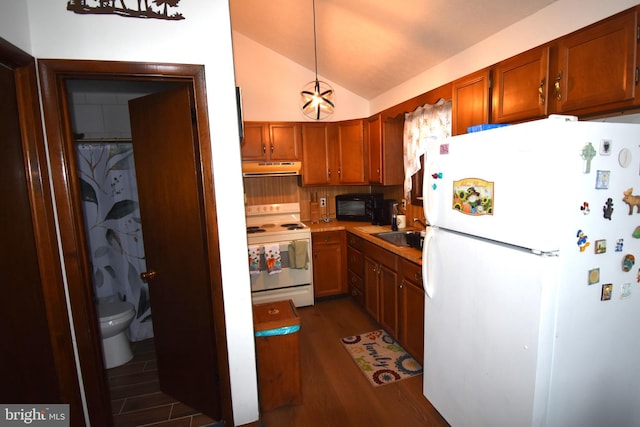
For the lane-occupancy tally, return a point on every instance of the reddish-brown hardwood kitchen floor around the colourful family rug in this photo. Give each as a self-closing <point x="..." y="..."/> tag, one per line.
<point x="335" y="392"/>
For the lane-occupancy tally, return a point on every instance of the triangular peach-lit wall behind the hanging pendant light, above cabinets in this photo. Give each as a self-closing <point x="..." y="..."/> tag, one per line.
<point x="271" y="84"/>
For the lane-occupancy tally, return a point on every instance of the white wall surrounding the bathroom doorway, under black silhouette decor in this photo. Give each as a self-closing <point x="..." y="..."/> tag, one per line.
<point x="204" y="37"/>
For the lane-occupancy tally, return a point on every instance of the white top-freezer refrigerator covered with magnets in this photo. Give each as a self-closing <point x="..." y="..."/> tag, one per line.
<point x="532" y="314"/>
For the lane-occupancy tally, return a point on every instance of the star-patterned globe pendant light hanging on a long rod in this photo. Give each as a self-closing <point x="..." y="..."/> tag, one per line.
<point x="317" y="96"/>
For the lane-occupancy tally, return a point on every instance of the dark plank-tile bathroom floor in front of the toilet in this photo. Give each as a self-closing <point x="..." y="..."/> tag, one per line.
<point x="136" y="399"/>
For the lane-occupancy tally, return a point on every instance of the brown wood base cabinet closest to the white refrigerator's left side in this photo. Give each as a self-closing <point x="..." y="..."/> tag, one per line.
<point x="411" y="310"/>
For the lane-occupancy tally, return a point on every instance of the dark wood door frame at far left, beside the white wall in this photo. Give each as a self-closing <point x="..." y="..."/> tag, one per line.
<point x="38" y="187"/>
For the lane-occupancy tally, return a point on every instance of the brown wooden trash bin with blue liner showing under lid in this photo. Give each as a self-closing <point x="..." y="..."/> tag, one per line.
<point x="276" y="326"/>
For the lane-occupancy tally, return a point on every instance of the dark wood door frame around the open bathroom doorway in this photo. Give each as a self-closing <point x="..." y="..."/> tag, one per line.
<point x="53" y="74"/>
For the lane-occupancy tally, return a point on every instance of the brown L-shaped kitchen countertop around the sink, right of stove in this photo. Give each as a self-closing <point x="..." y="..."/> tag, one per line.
<point x="365" y="231"/>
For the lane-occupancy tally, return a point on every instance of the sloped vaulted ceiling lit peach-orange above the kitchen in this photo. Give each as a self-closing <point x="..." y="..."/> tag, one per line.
<point x="371" y="46"/>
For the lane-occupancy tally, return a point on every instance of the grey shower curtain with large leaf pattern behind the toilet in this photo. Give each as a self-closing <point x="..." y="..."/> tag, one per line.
<point x="114" y="232"/>
